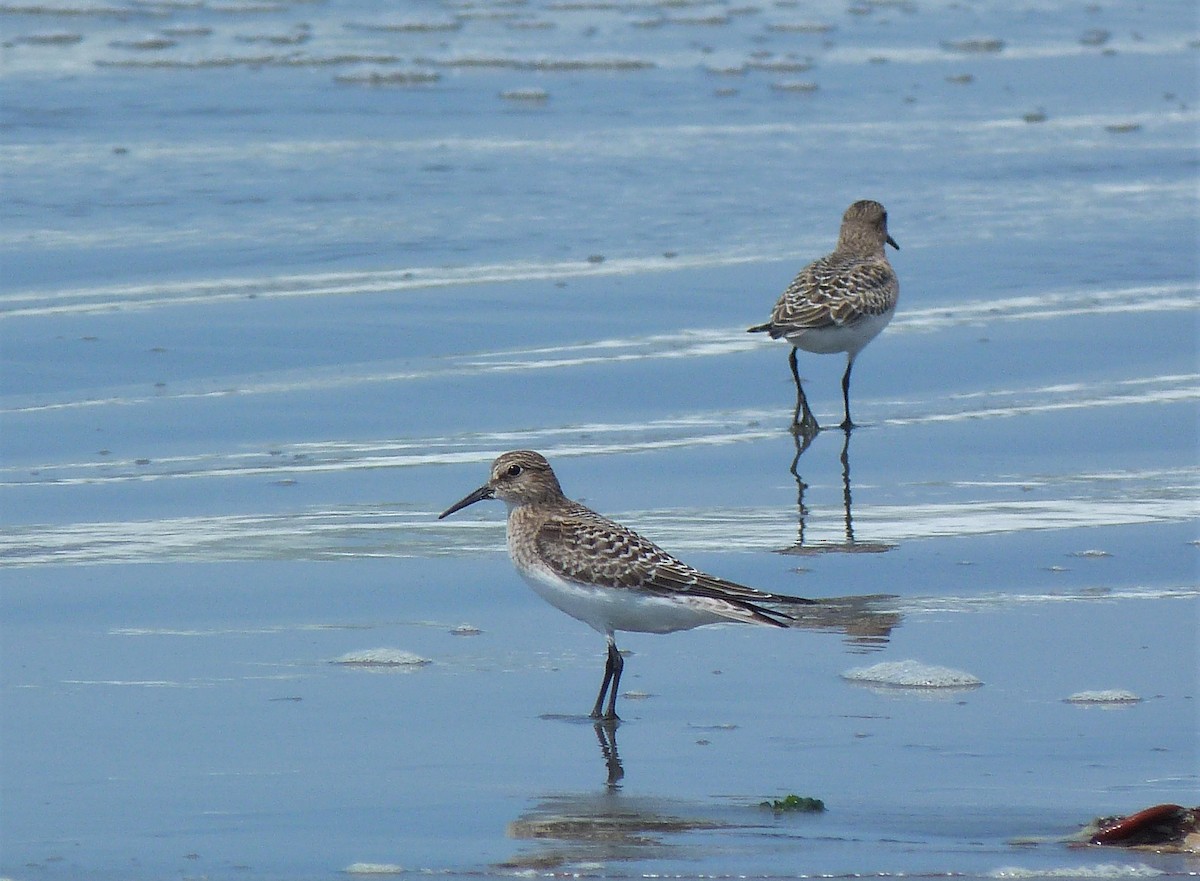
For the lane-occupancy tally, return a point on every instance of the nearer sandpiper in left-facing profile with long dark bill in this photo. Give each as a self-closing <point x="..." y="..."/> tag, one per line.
<point x="605" y="574"/>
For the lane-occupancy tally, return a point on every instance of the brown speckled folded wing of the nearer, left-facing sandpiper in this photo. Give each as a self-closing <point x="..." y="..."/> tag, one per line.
<point x="584" y="547"/>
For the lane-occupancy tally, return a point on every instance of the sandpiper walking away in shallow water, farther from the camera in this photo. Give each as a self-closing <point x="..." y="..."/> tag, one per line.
<point x="839" y="303"/>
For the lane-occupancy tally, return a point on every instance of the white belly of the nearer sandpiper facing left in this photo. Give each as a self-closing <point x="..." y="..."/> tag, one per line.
<point x="608" y="609"/>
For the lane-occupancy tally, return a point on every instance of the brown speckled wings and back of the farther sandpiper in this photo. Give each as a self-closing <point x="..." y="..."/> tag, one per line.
<point x="835" y="291"/>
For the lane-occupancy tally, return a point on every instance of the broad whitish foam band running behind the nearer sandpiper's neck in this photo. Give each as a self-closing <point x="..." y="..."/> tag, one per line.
<point x="1099" y="500"/>
